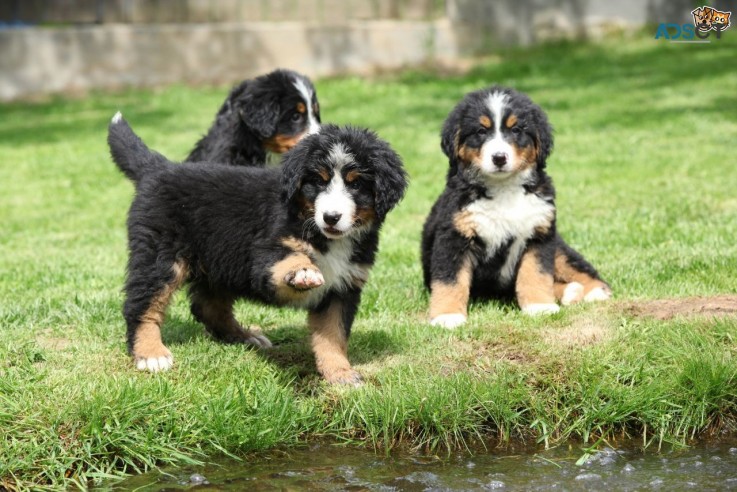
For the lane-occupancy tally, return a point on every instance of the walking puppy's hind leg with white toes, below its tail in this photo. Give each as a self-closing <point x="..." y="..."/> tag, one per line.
<point x="147" y="297"/>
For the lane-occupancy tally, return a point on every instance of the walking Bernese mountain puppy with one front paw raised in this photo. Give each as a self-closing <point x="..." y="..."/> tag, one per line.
<point x="303" y="235"/>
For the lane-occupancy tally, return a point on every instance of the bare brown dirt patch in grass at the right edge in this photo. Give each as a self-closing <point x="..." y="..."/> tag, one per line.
<point x="665" y="309"/>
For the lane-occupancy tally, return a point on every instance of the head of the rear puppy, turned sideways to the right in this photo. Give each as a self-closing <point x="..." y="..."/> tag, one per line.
<point x="280" y="108"/>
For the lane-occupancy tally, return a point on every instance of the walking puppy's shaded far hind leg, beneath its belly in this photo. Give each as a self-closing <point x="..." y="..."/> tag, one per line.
<point x="216" y="313"/>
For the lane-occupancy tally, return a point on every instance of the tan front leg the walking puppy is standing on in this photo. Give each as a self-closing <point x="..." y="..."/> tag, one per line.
<point x="330" y="345"/>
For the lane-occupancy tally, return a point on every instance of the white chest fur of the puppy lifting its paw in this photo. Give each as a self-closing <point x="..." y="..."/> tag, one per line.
<point x="337" y="269"/>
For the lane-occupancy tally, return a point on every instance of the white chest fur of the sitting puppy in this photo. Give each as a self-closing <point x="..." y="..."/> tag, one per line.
<point x="511" y="214"/>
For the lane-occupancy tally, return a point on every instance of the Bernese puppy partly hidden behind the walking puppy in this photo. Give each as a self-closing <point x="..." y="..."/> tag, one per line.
<point x="260" y="120"/>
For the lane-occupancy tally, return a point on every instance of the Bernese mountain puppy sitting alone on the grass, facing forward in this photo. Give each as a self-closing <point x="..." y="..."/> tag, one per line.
<point x="491" y="233"/>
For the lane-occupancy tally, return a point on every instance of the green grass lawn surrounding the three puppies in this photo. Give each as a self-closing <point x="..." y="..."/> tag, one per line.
<point x="645" y="171"/>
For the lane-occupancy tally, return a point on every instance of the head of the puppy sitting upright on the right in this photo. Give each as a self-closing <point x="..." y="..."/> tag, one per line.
<point x="496" y="133"/>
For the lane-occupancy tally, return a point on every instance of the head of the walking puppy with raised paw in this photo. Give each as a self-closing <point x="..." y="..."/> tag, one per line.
<point x="346" y="179"/>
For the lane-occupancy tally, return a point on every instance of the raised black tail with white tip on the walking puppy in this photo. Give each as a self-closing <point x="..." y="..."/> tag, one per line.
<point x="129" y="152"/>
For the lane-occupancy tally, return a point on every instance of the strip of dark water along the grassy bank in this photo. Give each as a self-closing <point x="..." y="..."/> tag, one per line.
<point x="710" y="466"/>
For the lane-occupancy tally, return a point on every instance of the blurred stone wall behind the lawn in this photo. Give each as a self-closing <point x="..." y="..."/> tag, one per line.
<point x="53" y="46"/>
